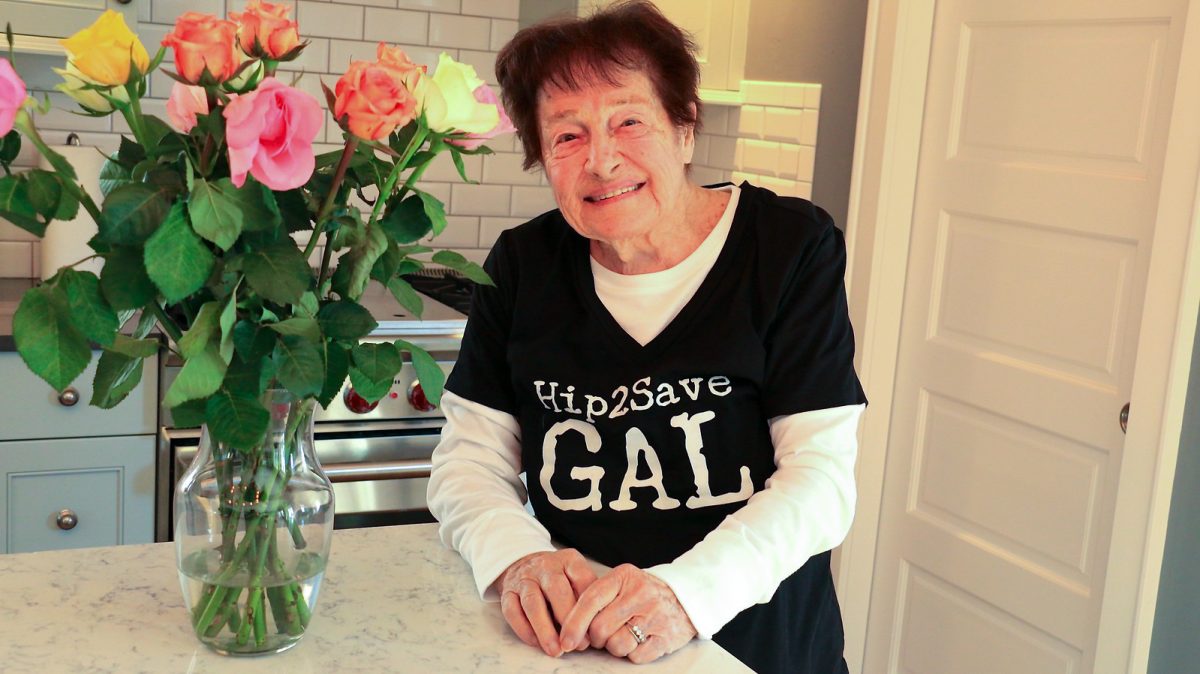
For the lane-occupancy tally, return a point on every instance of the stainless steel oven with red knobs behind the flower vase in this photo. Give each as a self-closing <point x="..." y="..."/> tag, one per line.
<point x="377" y="458"/>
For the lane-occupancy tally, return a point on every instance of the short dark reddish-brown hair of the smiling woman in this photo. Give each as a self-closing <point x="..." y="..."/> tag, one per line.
<point x="569" y="52"/>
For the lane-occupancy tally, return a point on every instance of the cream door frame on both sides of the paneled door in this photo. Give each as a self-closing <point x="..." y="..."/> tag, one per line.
<point x="884" y="184"/>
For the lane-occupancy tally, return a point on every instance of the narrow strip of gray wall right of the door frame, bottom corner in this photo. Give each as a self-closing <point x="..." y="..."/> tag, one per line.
<point x="1175" y="646"/>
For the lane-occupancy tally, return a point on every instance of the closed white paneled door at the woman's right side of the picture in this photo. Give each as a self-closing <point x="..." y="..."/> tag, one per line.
<point x="1042" y="161"/>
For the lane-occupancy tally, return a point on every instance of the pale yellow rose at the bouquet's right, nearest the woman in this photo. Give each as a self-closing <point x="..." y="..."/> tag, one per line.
<point x="448" y="100"/>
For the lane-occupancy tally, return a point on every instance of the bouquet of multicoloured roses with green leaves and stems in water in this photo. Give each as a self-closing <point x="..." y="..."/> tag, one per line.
<point x="196" y="232"/>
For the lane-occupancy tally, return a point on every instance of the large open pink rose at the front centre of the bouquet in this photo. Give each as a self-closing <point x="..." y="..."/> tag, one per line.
<point x="271" y="134"/>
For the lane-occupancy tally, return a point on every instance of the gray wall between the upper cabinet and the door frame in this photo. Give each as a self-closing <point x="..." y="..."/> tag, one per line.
<point x="820" y="43"/>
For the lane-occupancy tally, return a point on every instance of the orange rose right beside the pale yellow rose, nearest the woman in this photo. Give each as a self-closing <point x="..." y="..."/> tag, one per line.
<point x="374" y="99"/>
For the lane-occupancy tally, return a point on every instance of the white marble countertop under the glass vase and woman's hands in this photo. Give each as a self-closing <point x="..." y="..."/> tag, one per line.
<point x="394" y="600"/>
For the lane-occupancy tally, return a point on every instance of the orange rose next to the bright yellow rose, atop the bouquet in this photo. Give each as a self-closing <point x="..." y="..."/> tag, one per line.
<point x="206" y="49"/>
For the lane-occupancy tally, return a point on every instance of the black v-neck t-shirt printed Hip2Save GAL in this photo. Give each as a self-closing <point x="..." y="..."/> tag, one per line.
<point x="635" y="453"/>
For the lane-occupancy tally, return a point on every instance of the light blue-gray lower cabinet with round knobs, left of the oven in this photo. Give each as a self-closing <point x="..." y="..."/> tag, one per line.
<point x="71" y="476"/>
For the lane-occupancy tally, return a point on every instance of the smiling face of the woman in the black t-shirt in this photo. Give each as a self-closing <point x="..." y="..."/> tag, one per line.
<point x="614" y="159"/>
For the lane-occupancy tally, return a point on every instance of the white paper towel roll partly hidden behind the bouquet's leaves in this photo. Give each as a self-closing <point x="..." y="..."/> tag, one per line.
<point x="67" y="243"/>
